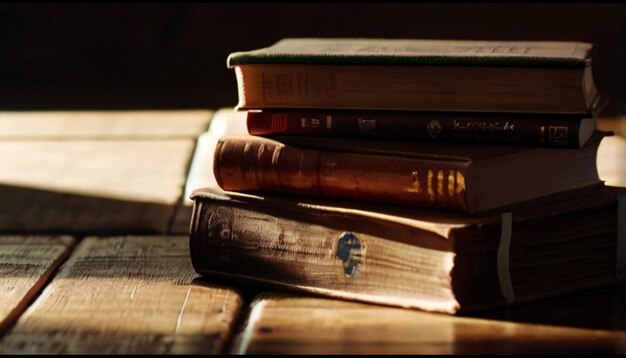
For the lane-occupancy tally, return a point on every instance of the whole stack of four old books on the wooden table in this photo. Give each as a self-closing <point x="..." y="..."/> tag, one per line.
<point x="440" y="175"/>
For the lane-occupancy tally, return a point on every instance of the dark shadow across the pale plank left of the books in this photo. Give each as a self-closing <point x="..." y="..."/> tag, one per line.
<point x="34" y="211"/>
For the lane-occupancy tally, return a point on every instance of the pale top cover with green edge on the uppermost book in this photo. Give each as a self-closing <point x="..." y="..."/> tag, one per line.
<point x="414" y="52"/>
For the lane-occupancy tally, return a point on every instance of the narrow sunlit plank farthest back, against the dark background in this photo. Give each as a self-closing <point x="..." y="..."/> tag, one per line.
<point x="32" y="125"/>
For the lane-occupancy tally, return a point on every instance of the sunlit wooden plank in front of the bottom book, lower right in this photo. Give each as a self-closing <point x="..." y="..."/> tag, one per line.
<point x="301" y="325"/>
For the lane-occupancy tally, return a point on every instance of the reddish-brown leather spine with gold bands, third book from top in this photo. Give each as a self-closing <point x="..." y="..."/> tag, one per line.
<point x="249" y="163"/>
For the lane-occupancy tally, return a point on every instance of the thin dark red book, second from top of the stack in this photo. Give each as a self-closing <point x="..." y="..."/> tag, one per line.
<point x="545" y="130"/>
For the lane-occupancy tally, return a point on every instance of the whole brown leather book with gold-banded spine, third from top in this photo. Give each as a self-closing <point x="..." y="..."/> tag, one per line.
<point x="463" y="177"/>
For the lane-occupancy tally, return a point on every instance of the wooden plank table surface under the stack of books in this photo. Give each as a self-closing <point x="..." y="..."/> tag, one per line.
<point x="94" y="258"/>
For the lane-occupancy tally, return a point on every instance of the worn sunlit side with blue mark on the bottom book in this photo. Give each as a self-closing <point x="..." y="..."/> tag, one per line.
<point x="298" y="252"/>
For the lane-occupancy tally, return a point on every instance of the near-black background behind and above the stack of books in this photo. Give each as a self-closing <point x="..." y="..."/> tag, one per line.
<point x="86" y="56"/>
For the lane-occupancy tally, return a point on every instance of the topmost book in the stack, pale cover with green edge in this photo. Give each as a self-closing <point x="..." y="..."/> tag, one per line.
<point x="437" y="75"/>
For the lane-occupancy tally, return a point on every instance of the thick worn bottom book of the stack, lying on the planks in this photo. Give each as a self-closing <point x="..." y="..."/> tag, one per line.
<point x="424" y="259"/>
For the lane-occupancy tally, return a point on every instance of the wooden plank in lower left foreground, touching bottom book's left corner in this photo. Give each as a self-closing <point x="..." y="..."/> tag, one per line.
<point x="127" y="295"/>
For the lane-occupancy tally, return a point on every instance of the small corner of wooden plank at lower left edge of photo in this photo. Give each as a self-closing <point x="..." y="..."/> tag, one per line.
<point x="26" y="264"/>
